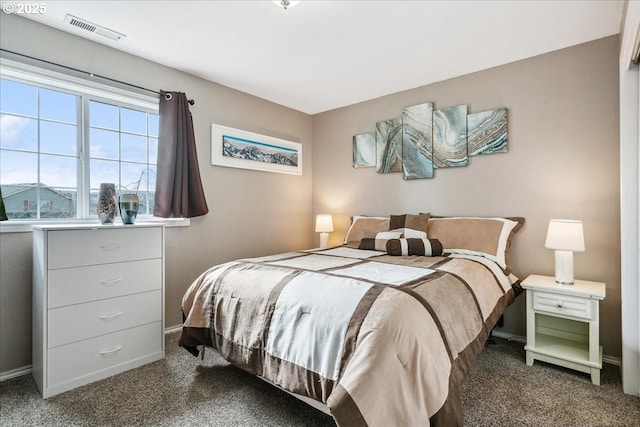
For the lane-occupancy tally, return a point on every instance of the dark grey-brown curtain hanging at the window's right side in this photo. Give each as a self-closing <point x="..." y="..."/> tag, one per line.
<point x="179" y="192"/>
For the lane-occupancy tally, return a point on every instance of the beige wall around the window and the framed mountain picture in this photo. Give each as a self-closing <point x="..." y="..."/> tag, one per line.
<point x="251" y="213"/>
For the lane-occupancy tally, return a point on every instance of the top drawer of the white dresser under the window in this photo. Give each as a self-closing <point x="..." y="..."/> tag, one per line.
<point x="75" y="248"/>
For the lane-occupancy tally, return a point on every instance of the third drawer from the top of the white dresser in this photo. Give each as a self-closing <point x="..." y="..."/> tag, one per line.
<point x="78" y="322"/>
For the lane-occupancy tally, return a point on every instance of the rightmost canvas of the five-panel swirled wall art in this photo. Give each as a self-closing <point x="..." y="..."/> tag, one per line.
<point x="487" y="132"/>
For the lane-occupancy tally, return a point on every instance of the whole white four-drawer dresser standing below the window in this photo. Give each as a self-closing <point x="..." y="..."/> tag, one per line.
<point x="98" y="302"/>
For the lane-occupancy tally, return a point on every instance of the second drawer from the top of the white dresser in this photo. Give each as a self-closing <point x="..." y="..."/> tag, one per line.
<point x="82" y="284"/>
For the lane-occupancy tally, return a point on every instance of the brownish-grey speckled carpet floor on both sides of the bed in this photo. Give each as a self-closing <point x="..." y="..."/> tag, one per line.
<point x="181" y="390"/>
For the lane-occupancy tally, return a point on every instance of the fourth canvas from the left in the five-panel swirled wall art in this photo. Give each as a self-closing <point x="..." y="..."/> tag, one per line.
<point x="450" y="137"/>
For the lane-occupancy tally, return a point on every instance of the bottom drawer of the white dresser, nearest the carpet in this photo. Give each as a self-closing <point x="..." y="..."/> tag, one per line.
<point x="89" y="357"/>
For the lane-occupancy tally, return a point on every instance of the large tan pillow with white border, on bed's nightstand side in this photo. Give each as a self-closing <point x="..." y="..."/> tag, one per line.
<point x="487" y="237"/>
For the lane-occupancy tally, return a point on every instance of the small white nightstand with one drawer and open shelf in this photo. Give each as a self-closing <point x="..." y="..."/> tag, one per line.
<point x="563" y="324"/>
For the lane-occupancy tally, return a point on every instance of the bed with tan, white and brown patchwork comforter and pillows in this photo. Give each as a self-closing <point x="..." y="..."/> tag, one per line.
<point x="380" y="331"/>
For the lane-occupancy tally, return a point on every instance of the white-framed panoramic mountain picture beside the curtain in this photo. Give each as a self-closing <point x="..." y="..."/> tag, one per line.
<point x="236" y="148"/>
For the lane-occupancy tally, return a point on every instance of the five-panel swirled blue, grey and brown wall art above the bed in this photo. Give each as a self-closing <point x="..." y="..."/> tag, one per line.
<point x="424" y="139"/>
